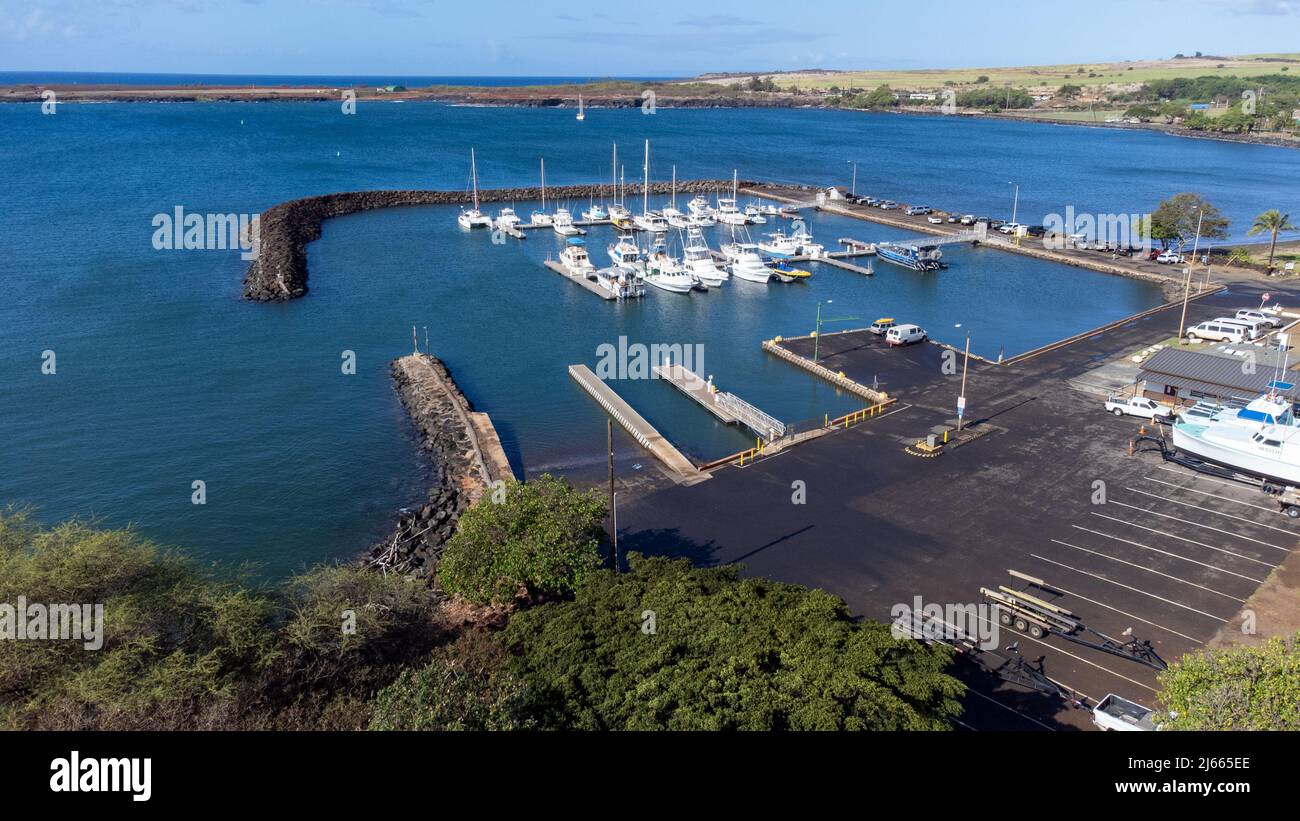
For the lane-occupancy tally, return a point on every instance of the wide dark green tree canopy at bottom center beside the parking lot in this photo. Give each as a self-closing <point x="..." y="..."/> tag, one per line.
<point x="669" y="646"/>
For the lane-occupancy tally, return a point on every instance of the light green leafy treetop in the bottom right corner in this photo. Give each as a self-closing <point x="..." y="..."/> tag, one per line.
<point x="1236" y="689"/>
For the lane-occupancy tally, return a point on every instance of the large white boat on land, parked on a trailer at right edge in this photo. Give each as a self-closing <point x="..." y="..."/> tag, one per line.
<point x="1262" y="440"/>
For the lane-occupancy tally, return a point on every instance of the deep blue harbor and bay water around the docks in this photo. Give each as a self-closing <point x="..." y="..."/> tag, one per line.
<point x="166" y="376"/>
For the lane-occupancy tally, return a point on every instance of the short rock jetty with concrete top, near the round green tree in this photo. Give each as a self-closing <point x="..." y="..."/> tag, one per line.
<point x="466" y="462"/>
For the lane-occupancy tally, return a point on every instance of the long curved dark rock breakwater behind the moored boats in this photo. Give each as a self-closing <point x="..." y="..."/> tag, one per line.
<point x="280" y="271"/>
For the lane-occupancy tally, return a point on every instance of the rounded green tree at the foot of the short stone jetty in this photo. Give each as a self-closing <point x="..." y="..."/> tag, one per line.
<point x="541" y="541"/>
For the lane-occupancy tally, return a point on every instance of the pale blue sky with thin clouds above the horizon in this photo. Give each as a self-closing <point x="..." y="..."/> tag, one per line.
<point x="603" y="38"/>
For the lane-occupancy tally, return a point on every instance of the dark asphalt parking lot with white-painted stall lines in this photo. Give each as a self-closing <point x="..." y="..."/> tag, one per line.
<point x="1126" y="544"/>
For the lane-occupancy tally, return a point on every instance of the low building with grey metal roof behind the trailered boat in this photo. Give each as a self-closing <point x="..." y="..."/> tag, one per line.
<point x="1194" y="375"/>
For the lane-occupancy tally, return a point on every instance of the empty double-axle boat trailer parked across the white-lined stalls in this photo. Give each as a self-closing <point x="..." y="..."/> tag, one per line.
<point x="1039" y="618"/>
